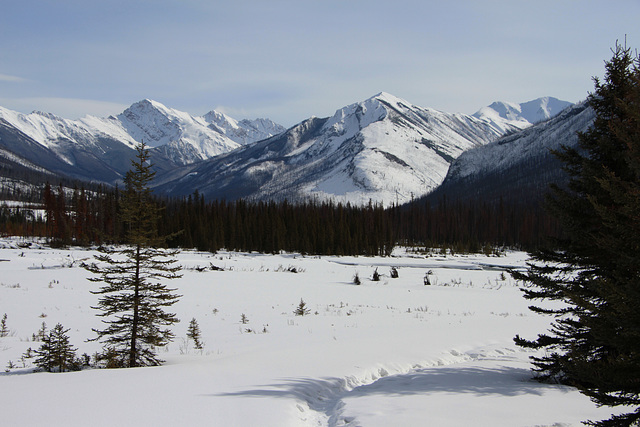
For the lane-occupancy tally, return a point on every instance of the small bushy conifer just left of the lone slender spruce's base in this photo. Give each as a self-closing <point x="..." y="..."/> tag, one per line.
<point x="56" y="354"/>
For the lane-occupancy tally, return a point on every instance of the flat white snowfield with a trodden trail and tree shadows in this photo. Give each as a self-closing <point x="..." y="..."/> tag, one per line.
<point x="393" y="352"/>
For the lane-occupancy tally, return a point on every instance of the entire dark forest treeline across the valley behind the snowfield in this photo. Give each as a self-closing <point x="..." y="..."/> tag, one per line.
<point x="80" y="216"/>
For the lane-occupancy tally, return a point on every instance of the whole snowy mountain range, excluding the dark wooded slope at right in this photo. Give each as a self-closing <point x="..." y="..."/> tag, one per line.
<point x="383" y="149"/>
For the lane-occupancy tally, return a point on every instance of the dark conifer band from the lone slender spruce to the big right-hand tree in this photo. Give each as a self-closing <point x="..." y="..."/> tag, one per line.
<point x="335" y="228"/>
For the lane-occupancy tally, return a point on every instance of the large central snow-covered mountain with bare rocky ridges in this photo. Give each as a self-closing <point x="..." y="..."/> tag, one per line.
<point x="382" y="149"/>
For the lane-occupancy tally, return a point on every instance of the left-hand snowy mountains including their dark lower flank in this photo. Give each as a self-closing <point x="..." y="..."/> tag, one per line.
<point x="100" y="148"/>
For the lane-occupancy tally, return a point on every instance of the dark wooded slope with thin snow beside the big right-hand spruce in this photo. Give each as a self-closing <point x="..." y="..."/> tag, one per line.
<point x="519" y="165"/>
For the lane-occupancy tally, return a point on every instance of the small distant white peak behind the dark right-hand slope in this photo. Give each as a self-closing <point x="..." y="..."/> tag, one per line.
<point x="521" y="115"/>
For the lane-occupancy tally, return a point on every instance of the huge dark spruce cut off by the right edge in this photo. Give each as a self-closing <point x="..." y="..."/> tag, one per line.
<point x="594" y="343"/>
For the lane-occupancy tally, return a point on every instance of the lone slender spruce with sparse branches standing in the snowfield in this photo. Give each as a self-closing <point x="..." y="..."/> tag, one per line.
<point x="132" y="301"/>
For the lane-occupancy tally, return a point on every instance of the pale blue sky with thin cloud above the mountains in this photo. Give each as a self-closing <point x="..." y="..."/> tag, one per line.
<point x="292" y="59"/>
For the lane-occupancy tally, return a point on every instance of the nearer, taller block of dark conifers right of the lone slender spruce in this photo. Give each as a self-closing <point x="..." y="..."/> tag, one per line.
<point x="311" y="227"/>
